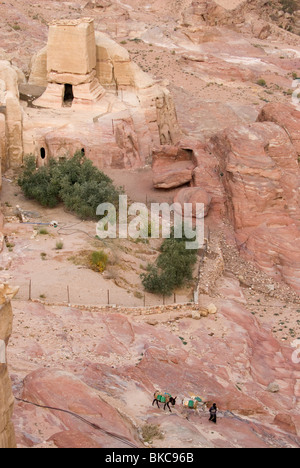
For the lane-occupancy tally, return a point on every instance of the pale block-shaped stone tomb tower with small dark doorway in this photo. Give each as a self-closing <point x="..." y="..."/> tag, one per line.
<point x="71" y="65"/>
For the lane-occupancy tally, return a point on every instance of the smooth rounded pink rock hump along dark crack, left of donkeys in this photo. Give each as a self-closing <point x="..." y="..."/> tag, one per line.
<point x="50" y="388"/>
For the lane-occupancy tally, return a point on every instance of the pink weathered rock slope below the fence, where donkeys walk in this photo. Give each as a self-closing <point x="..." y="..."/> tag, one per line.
<point x="119" y="361"/>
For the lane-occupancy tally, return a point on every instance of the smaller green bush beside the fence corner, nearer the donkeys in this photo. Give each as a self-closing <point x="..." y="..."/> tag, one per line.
<point x="173" y="268"/>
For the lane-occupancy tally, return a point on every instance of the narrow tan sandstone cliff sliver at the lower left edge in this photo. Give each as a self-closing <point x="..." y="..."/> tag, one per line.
<point x="7" y="435"/>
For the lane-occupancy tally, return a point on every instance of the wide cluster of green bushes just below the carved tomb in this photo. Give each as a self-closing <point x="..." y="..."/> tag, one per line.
<point x="75" y="182"/>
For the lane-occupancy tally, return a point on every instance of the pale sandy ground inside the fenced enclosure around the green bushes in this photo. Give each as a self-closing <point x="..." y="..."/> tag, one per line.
<point x="34" y="257"/>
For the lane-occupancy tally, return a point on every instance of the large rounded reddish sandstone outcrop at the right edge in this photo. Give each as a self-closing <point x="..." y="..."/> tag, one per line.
<point x="260" y="173"/>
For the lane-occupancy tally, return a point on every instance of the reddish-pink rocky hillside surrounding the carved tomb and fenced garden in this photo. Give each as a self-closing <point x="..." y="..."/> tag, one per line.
<point x="231" y="68"/>
